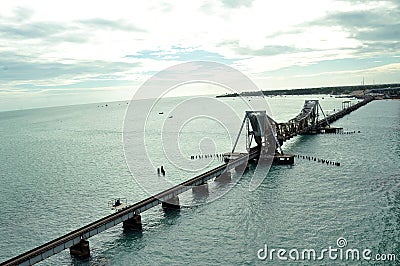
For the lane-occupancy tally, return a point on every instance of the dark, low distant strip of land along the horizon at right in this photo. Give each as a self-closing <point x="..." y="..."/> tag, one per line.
<point x="356" y="91"/>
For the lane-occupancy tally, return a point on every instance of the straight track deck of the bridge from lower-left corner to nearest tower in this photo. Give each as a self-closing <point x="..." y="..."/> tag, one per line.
<point x="55" y="246"/>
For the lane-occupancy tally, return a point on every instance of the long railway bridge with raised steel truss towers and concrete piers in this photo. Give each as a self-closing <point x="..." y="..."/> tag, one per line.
<point x="263" y="135"/>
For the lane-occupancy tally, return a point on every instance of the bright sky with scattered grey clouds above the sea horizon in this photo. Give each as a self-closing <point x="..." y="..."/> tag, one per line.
<point x="66" y="52"/>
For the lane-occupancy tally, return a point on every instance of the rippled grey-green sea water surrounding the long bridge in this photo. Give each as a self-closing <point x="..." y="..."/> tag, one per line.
<point x="60" y="166"/>
